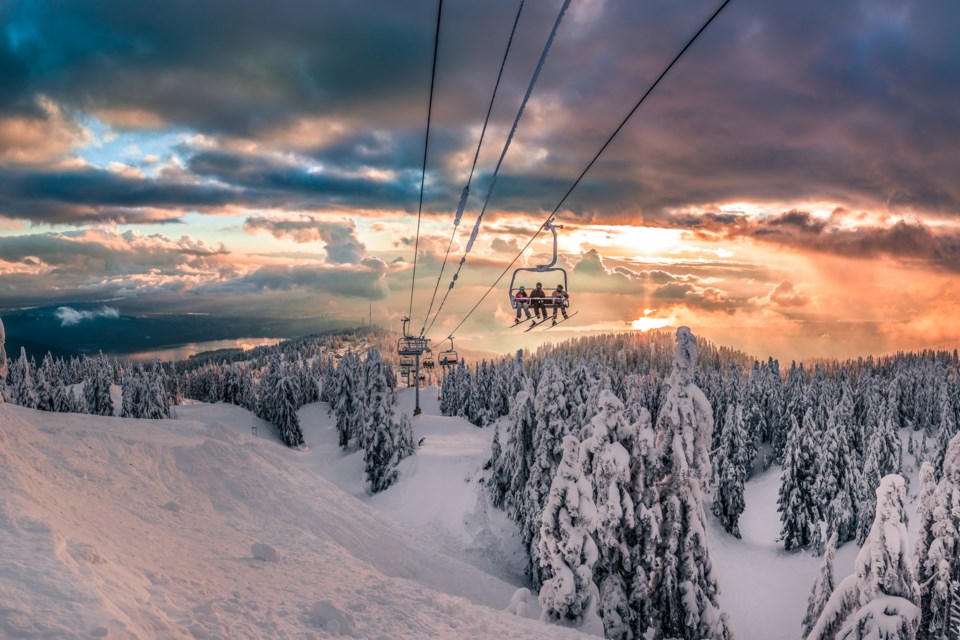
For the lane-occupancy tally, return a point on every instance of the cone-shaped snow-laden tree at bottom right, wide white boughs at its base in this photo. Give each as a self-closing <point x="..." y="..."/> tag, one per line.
<point x="880" y="599"/>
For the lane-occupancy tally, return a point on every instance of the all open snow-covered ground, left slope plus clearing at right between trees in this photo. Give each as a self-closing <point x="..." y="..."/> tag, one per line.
<point x="137" y="528"/>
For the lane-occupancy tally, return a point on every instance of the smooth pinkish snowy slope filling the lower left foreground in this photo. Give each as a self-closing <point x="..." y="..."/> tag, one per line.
<point x="135" y="528"/>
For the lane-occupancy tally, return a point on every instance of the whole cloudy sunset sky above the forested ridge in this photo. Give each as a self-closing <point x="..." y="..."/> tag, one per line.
<point x="789" y="189"/>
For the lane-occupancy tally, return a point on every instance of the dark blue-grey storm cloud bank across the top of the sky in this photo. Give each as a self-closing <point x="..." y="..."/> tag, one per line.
<point x="845" y="102"/>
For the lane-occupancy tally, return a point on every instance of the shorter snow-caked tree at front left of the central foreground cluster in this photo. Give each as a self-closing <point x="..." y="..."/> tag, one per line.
<point x="567" y="550"/>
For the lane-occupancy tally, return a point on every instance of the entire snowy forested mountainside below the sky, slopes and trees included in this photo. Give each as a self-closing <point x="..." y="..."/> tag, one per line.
<point x="637" y="486"/>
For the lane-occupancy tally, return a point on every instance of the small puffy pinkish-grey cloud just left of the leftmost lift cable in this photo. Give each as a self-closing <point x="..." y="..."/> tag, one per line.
<point x="340" y="236"/>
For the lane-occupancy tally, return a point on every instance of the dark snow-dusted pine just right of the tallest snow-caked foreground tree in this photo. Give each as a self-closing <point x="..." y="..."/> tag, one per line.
<point x="730" y="471"/>
